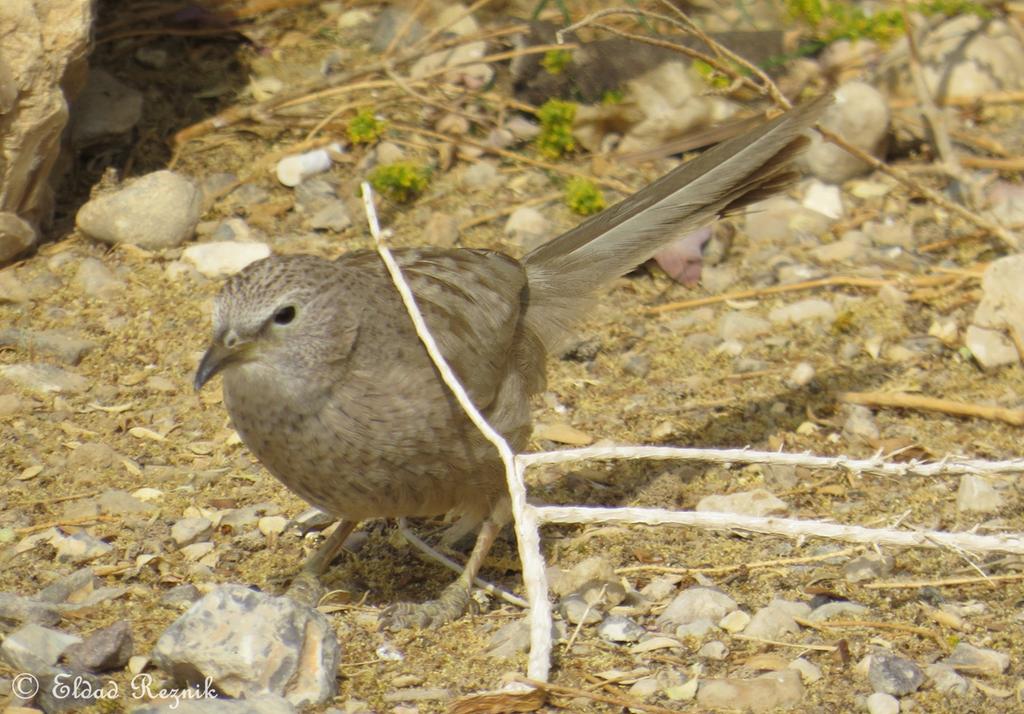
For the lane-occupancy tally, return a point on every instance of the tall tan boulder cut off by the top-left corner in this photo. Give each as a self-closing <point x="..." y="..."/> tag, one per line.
<point x="42" y="66"/>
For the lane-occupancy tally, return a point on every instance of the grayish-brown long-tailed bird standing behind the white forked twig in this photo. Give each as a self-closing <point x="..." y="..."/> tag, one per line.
<point x="328" y="385"/>
